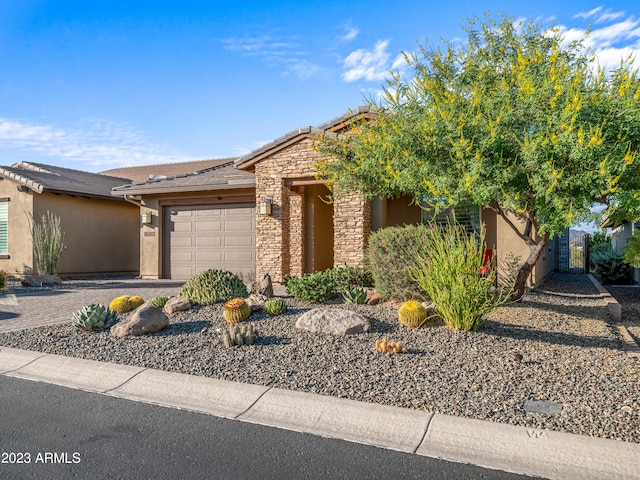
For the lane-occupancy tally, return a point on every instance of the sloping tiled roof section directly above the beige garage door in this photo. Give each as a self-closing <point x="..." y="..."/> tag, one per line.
<point x="219" y="177"/>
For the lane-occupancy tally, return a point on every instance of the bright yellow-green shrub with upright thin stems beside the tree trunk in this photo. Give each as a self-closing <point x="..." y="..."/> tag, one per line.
<point x="450" y="270"/>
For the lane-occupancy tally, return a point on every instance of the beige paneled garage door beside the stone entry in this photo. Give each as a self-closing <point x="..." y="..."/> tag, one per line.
<point x="197" y="238"/>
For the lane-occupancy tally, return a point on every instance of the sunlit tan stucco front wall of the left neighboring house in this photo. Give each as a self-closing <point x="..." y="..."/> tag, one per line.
<point x="20" y="209"/>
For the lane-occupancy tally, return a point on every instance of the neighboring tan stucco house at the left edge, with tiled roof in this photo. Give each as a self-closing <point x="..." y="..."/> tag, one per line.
<point x="101" y="232"/>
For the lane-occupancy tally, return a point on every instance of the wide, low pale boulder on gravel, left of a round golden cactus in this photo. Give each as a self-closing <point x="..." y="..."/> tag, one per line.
<point x="335" y="321"/>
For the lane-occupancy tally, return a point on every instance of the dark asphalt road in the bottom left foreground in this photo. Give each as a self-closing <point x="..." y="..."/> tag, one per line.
<point x="61" y="433"/>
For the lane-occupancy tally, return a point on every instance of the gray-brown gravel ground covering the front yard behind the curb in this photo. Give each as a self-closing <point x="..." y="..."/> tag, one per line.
<point x="570" y="355"/>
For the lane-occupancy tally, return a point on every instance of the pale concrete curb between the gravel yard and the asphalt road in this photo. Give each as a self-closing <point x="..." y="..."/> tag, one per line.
<point x="530" y="451"/>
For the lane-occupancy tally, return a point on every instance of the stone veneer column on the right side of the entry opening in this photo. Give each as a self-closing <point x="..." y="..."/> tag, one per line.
<point x="351" y="228"/>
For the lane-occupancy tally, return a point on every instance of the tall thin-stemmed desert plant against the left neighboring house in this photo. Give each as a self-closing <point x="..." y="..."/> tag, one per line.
<point x="47" y="237"/>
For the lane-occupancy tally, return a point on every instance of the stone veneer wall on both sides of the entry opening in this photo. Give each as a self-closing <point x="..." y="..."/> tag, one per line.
<point x="280" y="237"/>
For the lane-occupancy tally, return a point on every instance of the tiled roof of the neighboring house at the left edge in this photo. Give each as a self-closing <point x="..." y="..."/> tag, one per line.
<point x="48" y="178"/>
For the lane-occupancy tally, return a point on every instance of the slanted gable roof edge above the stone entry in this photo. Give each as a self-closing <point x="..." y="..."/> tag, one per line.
<point x="336" y="125"/>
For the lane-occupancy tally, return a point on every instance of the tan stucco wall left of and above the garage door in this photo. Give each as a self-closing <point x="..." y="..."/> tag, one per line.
<point x="151" y="236"/>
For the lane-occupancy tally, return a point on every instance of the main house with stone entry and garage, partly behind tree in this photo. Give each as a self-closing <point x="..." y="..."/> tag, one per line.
<point x="266" y="212"/>
